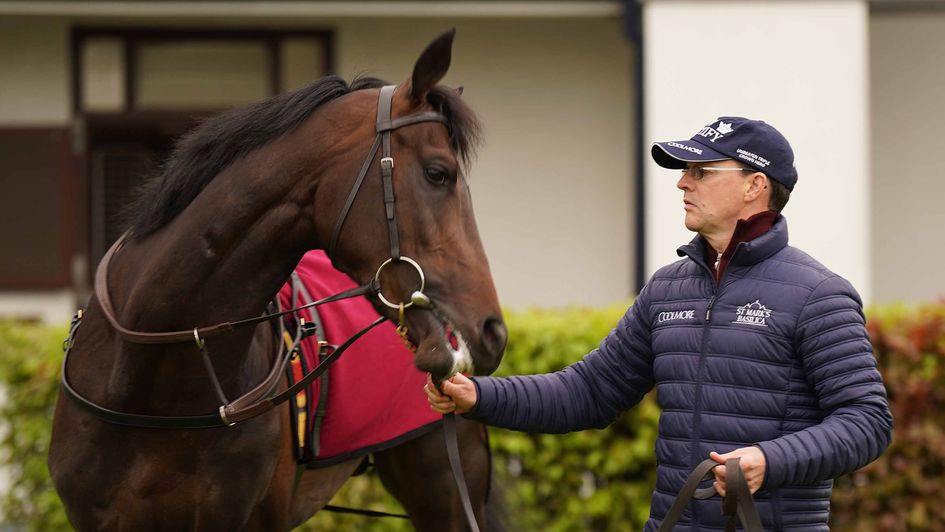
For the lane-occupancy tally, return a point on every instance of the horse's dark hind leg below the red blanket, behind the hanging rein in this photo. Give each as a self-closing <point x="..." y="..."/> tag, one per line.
<point x="418" y="474"/>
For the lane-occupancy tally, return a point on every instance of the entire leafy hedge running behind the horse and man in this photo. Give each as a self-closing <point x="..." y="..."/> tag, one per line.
<point x="592" y="480"/>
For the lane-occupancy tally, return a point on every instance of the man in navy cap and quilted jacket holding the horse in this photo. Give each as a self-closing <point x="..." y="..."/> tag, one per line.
<point x="757" y="350"/>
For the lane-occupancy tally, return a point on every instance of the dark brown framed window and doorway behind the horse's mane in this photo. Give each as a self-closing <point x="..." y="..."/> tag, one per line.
<point x="136" y="89"/>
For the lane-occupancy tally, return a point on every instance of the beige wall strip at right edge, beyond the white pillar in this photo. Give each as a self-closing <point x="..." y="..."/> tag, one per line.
<point x="908" y="81"/>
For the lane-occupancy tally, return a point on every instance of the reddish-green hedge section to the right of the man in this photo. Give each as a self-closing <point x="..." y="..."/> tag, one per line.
<point x="903" y="490"/>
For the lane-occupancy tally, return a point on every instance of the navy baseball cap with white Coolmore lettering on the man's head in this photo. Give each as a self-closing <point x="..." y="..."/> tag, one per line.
<point x="752" y="142"/>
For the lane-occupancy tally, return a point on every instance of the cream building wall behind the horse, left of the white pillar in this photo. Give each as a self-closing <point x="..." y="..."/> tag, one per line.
<point x="552" y="185"/>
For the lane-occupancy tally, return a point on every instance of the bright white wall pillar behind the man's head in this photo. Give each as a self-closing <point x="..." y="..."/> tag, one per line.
<point x="800" y="66"/>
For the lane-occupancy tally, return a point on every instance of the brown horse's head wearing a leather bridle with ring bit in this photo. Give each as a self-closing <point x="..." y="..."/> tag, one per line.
<point x="429" y="223"/>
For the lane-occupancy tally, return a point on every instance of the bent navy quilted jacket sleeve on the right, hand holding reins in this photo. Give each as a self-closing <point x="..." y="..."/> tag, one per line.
<point x="836" y="353"/>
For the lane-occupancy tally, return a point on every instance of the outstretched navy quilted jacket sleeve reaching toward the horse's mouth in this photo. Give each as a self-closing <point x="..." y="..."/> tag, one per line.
<point x="590" y="393"/>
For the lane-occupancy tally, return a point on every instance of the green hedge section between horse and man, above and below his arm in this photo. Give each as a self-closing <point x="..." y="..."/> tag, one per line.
<point x="590" y="480"/>
